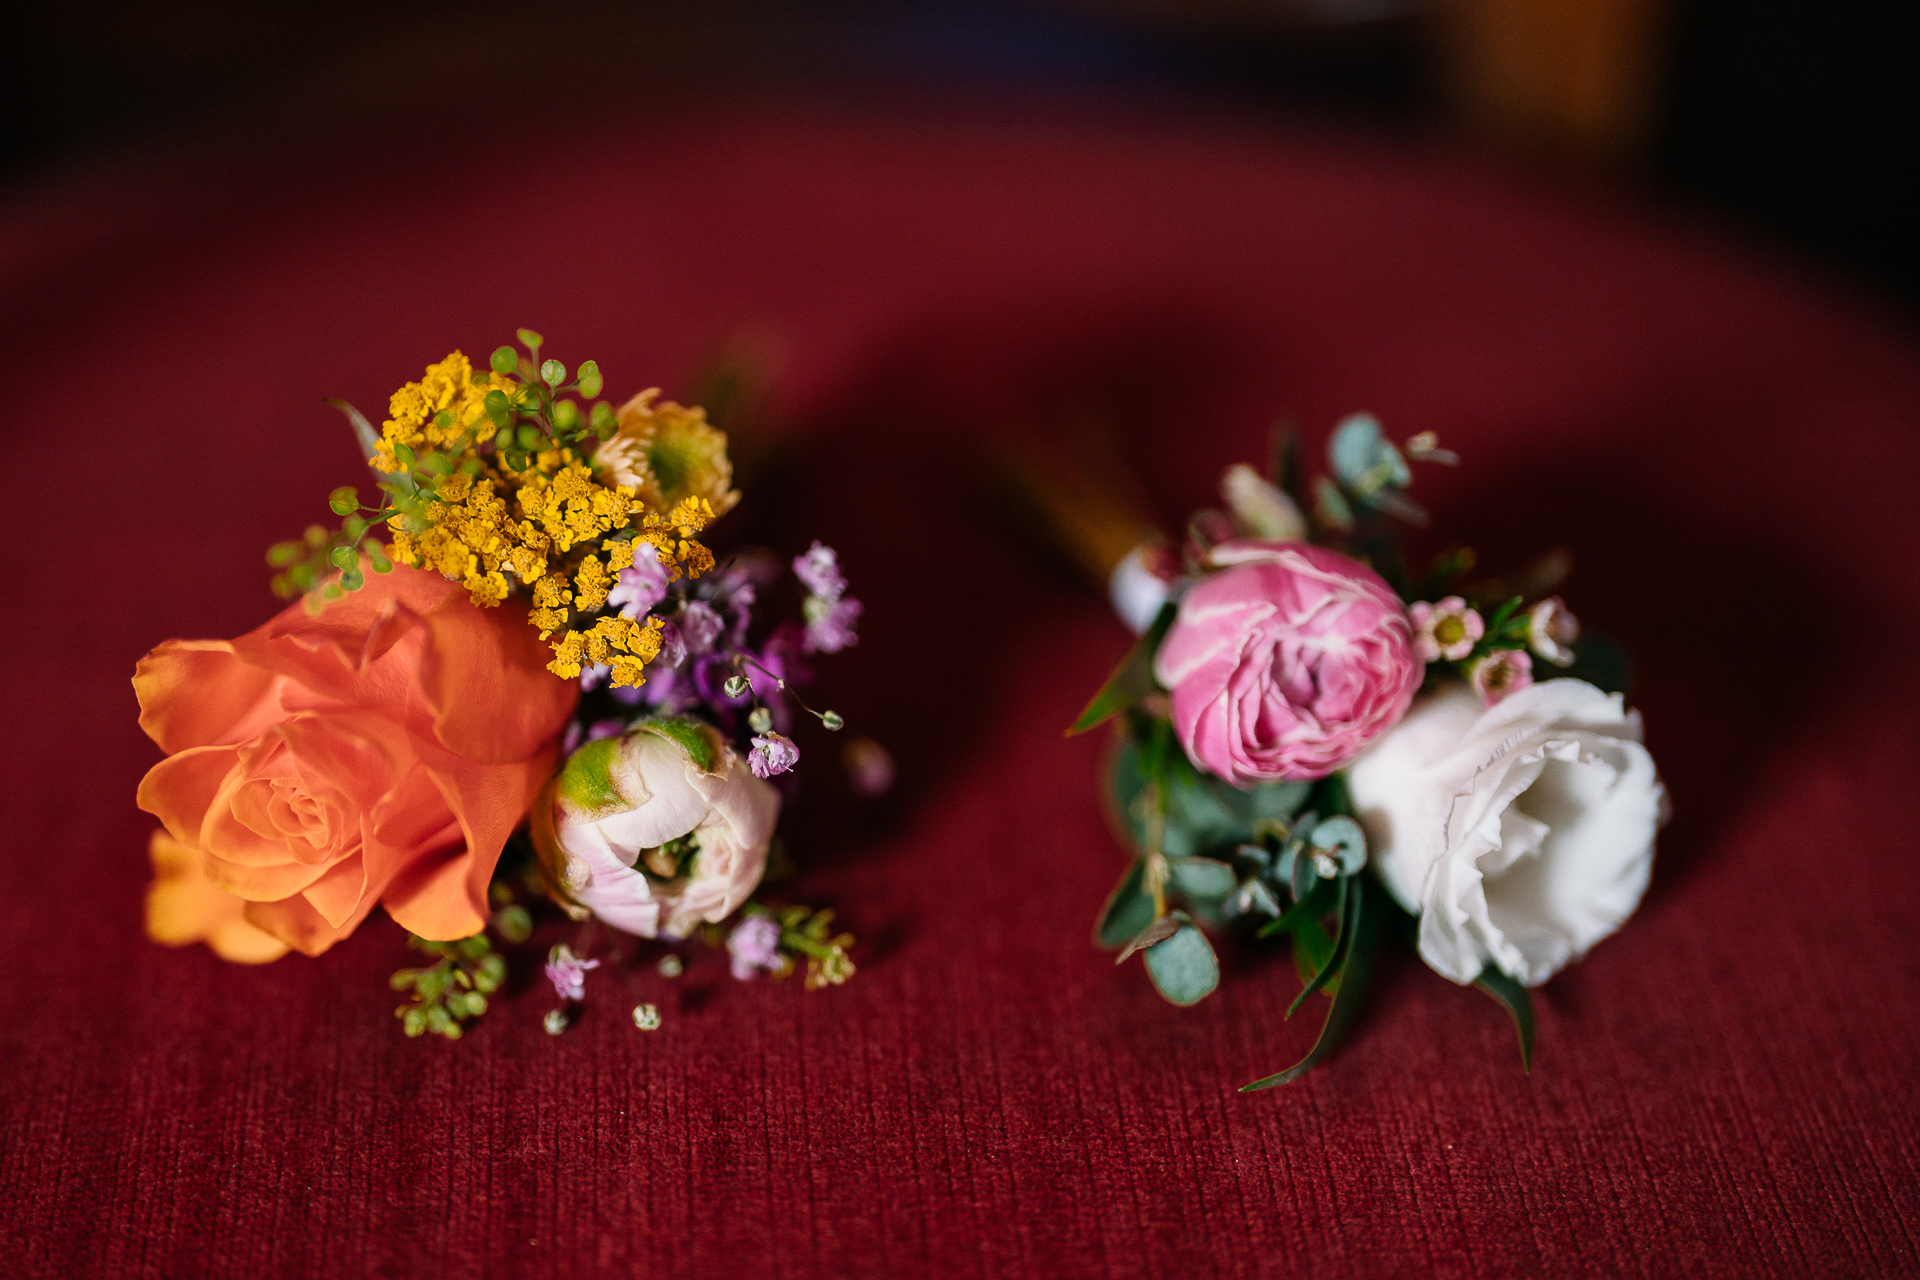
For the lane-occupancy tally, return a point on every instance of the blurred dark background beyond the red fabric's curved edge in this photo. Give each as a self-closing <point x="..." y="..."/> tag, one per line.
<point x="1788" y="122"/>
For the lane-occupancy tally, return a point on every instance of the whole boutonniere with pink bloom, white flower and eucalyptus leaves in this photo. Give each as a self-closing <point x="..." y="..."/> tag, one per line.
<point x="1316" y="744"/>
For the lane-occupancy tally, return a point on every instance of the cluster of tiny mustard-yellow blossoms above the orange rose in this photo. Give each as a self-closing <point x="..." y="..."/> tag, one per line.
<point x="558" y="531"/>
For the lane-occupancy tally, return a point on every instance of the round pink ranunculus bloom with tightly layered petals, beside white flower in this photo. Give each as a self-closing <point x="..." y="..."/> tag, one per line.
<point x="1287" y="663"/>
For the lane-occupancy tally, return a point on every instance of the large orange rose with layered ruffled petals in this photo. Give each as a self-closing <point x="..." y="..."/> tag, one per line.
<point x="375" y="753"/>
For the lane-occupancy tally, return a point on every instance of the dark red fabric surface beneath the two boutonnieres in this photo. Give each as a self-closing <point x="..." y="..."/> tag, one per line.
<point x="1725" y="1089"/>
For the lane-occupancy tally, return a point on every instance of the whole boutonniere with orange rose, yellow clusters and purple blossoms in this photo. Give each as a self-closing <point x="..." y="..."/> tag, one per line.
<point x="540" y="688"/>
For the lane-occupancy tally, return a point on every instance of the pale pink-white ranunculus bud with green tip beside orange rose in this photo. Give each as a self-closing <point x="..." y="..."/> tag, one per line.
<point x="660" y="830"/>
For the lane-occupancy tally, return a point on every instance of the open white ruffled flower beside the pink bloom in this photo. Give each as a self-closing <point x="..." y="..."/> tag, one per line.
<point x="1524" y="834"/>
